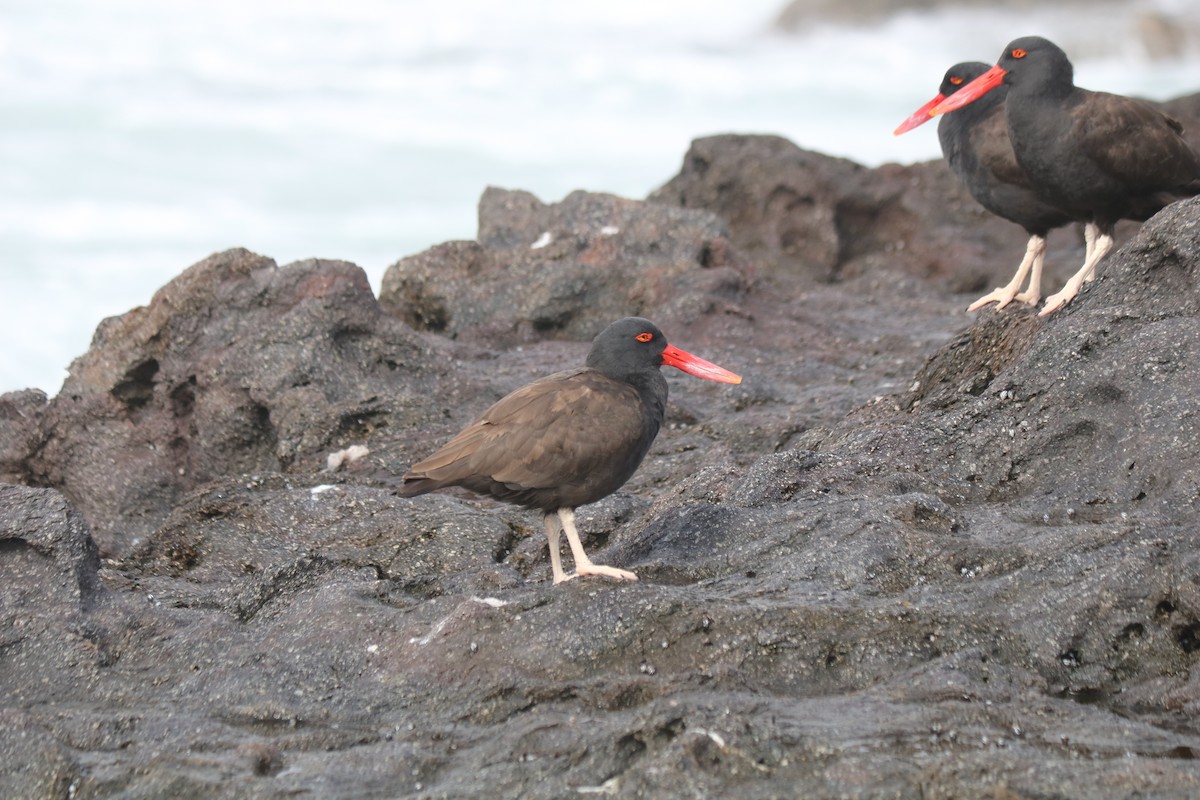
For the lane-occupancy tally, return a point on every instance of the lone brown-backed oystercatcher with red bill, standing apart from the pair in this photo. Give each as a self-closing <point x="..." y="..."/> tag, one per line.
<point x="571" y="438"/>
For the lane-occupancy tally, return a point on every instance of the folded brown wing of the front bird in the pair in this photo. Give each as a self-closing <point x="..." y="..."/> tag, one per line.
<point x="1135" y="143"/>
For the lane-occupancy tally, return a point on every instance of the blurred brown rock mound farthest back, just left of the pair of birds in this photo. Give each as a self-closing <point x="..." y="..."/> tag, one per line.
<point x="795" y="212"/>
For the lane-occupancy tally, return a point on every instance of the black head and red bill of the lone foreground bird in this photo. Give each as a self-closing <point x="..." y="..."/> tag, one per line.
<point x="634" y="347"/>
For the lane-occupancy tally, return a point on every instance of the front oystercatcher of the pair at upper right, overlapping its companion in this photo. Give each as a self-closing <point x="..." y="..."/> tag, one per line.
<point x="1097" y="157"/>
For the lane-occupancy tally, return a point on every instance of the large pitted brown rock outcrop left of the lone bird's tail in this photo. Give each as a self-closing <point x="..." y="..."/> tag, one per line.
<point x="236" y="366"/>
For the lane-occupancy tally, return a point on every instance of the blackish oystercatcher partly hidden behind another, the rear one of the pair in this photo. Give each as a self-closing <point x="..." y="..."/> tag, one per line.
<point x="975" y="143"/>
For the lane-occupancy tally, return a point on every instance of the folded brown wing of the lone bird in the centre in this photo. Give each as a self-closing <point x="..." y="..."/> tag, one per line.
<point x="551" y="432"/>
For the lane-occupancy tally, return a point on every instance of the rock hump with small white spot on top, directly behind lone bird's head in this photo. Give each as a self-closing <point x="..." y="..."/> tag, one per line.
<point x="567" y="270"/>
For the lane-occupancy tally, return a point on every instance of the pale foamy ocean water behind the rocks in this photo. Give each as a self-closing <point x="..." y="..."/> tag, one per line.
<point x="140" y="137"/>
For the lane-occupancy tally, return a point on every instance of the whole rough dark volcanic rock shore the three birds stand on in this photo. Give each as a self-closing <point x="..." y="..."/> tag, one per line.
<point x="916" y="555"/>
